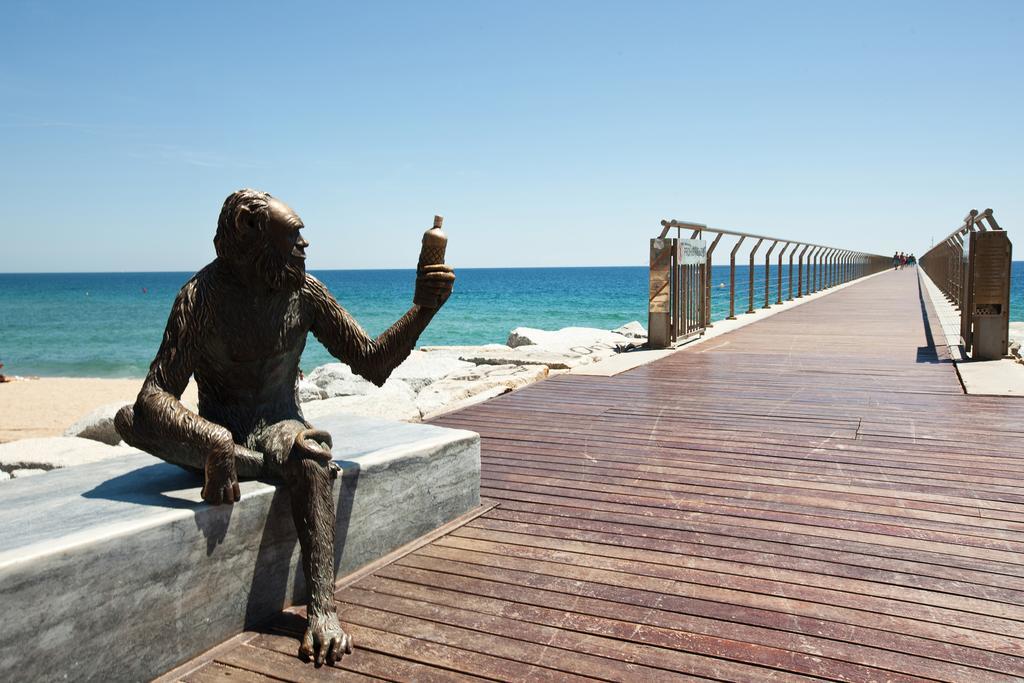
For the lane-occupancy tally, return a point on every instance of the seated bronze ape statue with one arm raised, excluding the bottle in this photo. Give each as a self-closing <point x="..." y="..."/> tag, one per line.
<point x="240" y="326"/>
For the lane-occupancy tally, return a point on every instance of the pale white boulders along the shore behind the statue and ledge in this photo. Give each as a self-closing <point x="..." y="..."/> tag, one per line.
<point x="435" y="380"/>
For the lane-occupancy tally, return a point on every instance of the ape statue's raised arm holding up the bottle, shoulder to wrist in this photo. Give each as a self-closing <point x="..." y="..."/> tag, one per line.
<point x="348" y="341"/>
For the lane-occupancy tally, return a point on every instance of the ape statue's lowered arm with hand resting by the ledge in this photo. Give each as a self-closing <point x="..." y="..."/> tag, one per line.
<point x="159" y="408"/>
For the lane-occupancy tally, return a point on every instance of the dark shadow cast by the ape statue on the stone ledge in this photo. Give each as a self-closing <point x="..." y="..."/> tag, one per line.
<point x="170" y="487"/>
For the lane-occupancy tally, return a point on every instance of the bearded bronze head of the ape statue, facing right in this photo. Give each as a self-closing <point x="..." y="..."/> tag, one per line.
<point x="261" y="234"/>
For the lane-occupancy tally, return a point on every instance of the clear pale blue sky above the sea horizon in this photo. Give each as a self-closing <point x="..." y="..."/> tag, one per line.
<point x="548" y="134"/>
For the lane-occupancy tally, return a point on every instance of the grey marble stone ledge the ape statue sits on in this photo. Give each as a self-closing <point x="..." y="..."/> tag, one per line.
<point x="116" y="571"/>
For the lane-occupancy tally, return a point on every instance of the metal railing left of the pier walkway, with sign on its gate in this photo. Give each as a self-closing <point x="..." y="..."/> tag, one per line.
<point x="680" y="297"/>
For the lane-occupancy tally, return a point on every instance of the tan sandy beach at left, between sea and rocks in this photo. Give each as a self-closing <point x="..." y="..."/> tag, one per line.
<point x="47" y="407"/>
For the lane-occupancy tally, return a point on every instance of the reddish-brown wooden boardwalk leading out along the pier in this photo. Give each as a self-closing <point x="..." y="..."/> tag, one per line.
<point x="808" y="497"/>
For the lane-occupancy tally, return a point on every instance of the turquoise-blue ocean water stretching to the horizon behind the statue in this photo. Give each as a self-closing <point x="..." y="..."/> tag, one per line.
<point x="110" y="325"/>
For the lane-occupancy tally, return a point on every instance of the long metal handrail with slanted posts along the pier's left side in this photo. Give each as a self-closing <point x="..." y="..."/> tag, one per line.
<point x="819" y="268"/>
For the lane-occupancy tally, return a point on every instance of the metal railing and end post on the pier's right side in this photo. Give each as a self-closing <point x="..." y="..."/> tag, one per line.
<point x="971" y="267"/>
